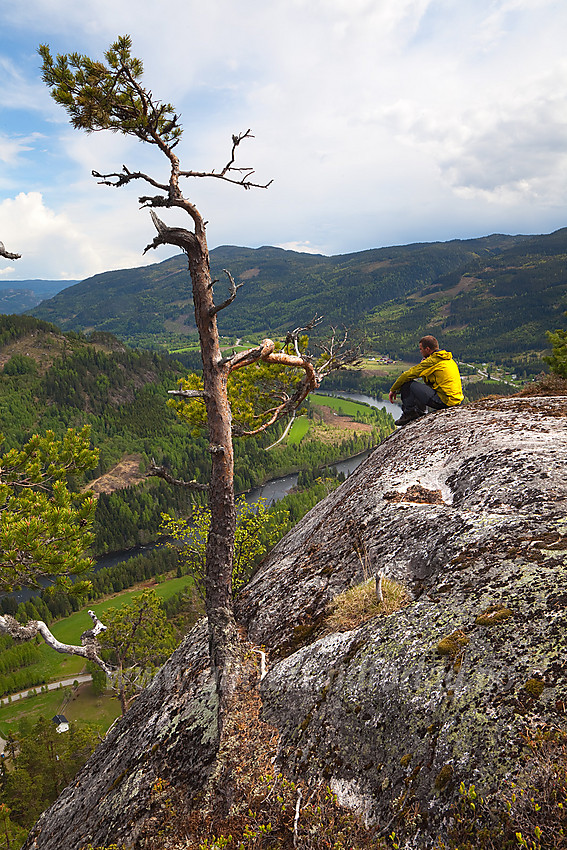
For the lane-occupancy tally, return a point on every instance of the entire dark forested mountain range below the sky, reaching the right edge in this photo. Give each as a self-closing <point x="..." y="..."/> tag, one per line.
<point x="384" y="295"/>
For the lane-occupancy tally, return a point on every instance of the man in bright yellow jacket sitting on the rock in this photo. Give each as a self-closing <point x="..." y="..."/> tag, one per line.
<point x="442" y="387"/>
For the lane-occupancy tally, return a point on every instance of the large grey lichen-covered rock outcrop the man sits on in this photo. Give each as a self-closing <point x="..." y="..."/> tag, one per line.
<point x="465" y="507"/>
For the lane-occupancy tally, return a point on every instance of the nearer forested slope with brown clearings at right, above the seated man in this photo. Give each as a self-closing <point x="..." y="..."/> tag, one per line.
<point x="495" y="311"/>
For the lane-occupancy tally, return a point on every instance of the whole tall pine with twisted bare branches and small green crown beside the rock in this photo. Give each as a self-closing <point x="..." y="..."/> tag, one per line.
<point x="109" y="95"/>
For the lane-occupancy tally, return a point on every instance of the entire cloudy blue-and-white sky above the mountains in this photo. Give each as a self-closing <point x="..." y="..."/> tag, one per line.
<point x="380" y="122"/>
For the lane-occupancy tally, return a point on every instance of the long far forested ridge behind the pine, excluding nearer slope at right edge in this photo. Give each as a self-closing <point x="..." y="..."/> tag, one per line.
<point x="152" y="305"/>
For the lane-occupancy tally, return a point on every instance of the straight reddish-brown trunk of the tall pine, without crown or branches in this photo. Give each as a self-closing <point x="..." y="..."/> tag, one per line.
<point x="220" y="543"/>
